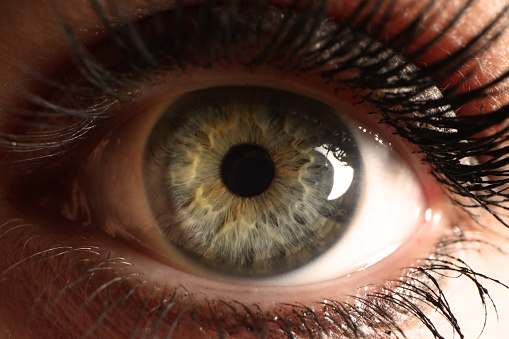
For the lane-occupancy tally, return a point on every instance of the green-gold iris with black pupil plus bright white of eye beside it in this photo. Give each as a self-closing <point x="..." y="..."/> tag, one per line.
<point x="260" y="185"/>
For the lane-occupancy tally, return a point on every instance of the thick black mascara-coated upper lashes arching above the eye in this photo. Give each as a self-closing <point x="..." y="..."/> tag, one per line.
<point x="397" y="82"/>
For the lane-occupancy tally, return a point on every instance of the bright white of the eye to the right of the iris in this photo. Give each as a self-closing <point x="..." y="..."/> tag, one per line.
<point x="391" y="208"/>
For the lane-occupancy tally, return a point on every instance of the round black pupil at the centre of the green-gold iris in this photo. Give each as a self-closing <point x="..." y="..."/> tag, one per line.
<point x="247" y="170"/>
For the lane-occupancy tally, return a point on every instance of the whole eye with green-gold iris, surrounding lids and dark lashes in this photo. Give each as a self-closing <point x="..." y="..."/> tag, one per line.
<point x="148" y="173"/>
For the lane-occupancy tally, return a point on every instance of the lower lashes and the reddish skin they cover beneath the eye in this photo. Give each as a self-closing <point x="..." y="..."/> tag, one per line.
<point x="101" y="289"/>
